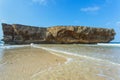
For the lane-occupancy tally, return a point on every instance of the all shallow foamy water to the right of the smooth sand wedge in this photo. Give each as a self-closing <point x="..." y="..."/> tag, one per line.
<point x="91" y="62"/>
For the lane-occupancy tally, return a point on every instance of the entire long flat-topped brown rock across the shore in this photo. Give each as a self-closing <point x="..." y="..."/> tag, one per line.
<point x="22" y="34"/>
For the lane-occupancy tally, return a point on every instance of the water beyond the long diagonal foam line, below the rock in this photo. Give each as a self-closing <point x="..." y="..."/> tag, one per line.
<point x="101" y="51"/>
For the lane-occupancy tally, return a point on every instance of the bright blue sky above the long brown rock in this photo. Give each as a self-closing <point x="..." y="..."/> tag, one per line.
<point x="96" y="13"/>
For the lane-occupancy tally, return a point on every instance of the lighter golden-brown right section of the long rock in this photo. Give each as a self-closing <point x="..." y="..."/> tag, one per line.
<point x="78" y="34"/>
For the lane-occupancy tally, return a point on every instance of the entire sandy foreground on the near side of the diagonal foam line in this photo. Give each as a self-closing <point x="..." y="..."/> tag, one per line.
<point x="30" y="63"/>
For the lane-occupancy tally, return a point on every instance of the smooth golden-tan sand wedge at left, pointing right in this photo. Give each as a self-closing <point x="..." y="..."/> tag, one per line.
<point x="26" y="63"/>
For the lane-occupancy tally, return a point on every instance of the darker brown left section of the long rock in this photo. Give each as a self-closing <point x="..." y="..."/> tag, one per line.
<point x="23" y="34"/>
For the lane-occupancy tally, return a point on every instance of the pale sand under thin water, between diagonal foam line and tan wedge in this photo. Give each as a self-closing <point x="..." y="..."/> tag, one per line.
<point x="80" y="68"/>
